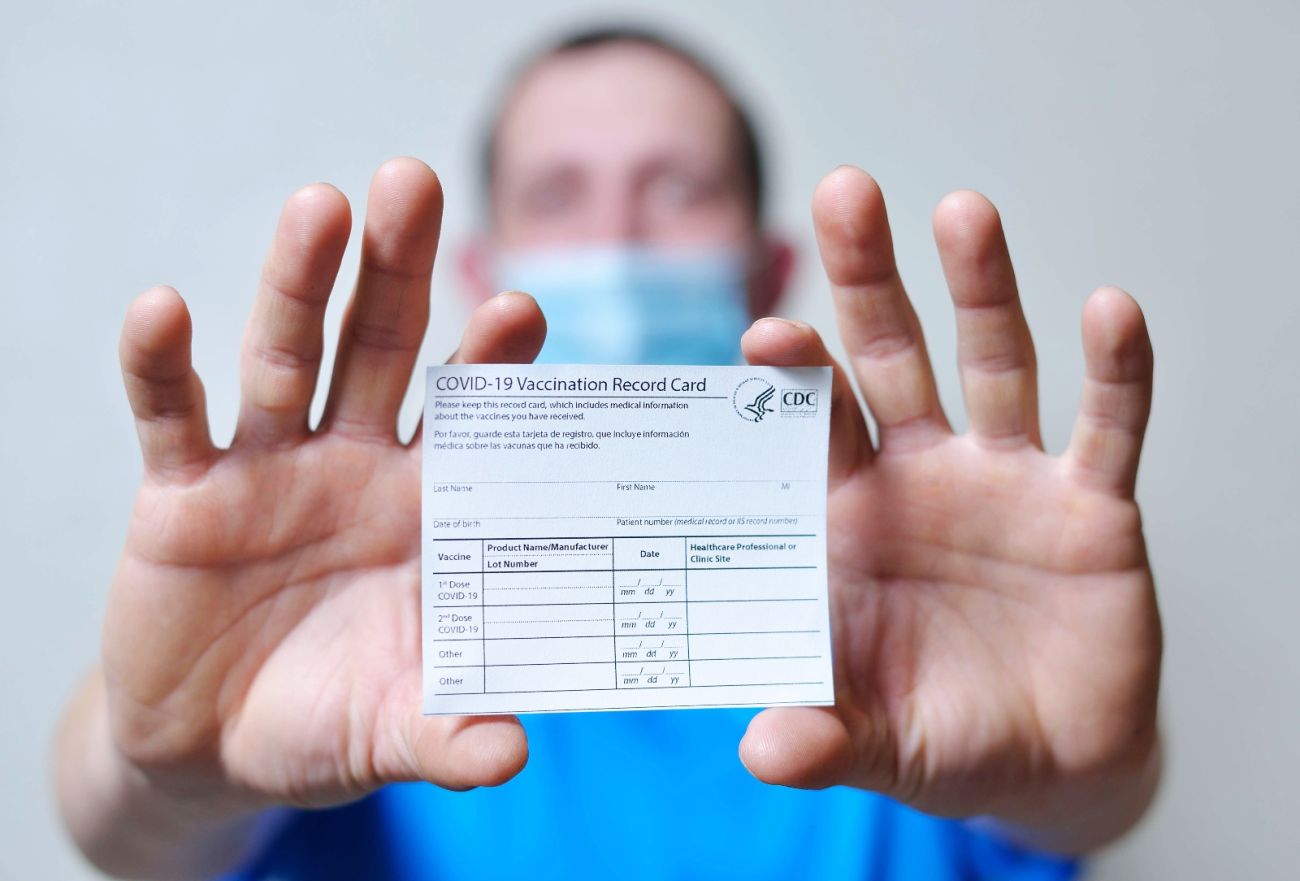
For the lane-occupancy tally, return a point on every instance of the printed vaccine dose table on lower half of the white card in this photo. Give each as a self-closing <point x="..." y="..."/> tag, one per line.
<point x="634" y="615"/>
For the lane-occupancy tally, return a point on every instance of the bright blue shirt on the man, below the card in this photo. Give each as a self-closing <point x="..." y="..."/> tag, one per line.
<point x="638" y="796"/>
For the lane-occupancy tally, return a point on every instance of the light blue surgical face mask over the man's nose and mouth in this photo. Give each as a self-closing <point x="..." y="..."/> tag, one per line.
<point x="634" y="305"/>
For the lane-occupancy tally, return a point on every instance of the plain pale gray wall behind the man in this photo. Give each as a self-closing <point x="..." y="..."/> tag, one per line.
<point x="1149" y="145"/>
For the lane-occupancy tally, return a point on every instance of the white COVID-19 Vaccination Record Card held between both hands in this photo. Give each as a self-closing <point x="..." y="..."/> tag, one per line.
<point x="625" y="539"/>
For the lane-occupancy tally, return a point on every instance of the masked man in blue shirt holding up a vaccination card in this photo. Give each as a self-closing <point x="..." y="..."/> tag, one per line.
<point x="996" y="636"/>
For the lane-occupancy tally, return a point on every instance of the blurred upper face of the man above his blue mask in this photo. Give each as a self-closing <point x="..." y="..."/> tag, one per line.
<point x="618" y="144"/>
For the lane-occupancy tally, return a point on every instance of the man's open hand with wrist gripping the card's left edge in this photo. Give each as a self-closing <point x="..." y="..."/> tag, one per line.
<point x="263" y="641"/>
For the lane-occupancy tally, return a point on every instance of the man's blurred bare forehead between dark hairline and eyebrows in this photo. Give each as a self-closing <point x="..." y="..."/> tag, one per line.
<point x="622" y="94"/>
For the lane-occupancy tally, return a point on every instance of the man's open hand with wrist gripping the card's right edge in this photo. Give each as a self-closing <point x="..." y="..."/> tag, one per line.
<point x="995" y="627"/>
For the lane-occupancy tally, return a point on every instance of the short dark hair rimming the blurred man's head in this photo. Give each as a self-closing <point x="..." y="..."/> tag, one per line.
<point x="749" y="155"/>
